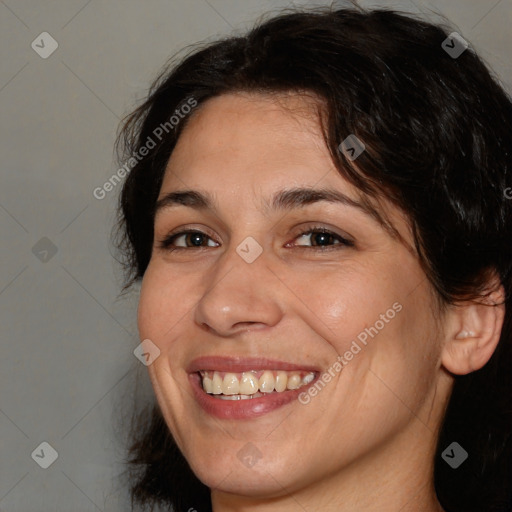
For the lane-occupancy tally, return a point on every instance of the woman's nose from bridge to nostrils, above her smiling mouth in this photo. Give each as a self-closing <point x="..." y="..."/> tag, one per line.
<point x="239" y="295"/>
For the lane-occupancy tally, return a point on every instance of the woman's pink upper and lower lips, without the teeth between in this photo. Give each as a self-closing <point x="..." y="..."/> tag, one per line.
<point x="242" y="409"/>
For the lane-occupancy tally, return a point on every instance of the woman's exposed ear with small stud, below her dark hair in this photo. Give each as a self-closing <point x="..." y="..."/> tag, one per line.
<point x="473" y="330"/>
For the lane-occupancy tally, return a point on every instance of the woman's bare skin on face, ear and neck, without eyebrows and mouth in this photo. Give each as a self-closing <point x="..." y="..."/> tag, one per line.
<point x="367" y="440"/>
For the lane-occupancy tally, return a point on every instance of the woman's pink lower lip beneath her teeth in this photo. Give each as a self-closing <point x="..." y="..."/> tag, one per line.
<point x="242" y="409"/>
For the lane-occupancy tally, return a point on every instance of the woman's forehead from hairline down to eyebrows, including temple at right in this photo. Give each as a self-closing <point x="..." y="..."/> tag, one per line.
<point x="241" y="148"/>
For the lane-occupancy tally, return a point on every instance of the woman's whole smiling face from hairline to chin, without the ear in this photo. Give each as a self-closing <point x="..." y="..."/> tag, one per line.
<point x="268" y="301"/>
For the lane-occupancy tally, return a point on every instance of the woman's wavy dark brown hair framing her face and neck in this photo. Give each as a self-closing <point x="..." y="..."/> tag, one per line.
<point x="438" y="138"/>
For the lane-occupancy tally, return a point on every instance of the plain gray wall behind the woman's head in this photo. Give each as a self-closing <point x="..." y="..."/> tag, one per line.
<point x="68" y="370"/>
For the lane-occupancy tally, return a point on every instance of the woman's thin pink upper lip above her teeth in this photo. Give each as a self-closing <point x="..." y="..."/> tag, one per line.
<point x="244" y="364"/>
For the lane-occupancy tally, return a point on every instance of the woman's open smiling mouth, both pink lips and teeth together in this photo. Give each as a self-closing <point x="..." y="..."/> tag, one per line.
<point x="235" y="388"/>
